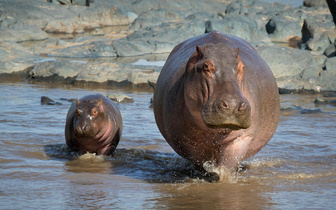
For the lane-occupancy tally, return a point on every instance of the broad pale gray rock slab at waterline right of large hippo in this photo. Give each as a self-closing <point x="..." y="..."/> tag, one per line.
<point x="299" y="69"/>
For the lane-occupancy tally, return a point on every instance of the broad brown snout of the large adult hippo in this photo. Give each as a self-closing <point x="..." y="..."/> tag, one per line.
<point x="232" y="112"/>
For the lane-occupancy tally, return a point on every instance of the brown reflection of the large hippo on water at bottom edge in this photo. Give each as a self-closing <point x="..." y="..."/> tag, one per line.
<point x="214" y="196"/>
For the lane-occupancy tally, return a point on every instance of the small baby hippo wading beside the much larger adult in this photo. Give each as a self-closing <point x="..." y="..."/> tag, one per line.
<point x="93" y="124"/>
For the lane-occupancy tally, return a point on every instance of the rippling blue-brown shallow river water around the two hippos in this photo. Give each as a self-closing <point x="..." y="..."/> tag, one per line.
<point x="297" y="169"/>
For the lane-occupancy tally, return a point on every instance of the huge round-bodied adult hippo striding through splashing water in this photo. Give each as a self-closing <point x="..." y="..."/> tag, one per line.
<point x="216" y="101"/>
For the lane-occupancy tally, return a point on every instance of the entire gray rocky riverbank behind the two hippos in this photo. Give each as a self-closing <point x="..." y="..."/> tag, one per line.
<point x="98" y="41"/>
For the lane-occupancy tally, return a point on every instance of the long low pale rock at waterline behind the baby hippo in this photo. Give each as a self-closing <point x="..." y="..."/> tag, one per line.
<point x="98" y="72"/>
